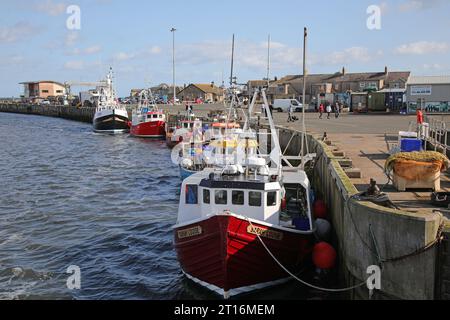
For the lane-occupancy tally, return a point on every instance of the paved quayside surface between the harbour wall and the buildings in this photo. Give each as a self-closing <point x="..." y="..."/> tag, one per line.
<point x="366" y="140"/>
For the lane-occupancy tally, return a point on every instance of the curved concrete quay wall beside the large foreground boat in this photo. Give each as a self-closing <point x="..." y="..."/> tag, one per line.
<point x="365" y="231"/>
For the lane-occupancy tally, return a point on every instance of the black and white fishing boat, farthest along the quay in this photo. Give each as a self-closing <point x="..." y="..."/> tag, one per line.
<point x="110" y="117"/>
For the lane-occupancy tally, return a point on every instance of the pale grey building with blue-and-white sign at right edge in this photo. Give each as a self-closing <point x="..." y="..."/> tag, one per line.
<point x="431" y="93"/>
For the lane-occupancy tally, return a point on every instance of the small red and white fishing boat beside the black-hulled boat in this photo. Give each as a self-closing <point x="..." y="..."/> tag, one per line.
<point x="147" y="120"/>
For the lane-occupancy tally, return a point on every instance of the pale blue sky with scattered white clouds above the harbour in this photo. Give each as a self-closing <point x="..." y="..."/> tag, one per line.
<point x="134" y="38"/>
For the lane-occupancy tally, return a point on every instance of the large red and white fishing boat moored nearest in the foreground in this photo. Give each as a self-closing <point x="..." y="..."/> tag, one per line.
<point x="238" y="223"/>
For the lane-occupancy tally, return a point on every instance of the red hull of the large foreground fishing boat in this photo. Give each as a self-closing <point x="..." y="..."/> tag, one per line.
<point x="227" y="255"/>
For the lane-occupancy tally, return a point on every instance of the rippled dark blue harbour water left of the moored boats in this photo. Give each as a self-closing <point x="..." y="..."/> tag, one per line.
<point x="105" y="203"/>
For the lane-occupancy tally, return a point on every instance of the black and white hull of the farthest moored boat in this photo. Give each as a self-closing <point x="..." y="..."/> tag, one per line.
<point x="111" y="121"/>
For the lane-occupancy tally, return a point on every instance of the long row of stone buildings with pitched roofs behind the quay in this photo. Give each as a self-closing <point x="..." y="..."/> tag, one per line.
<point x="320" y="87"/>
